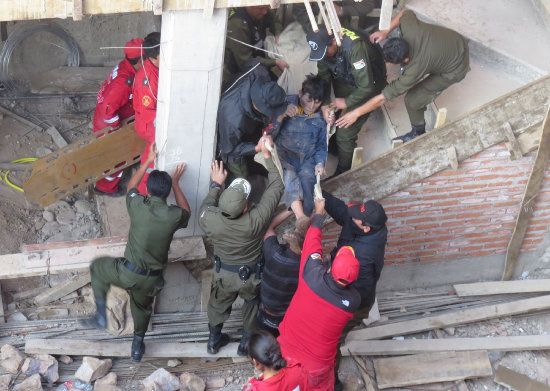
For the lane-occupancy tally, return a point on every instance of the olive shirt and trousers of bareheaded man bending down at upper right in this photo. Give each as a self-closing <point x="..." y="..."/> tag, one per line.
<point x="436" y="51"/>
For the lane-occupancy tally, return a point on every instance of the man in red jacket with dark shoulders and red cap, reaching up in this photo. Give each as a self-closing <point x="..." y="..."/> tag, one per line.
<point x="322" y="305"/>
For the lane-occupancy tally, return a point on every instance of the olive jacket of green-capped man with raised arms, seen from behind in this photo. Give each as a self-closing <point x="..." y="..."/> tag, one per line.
<point x="239" y="241"/>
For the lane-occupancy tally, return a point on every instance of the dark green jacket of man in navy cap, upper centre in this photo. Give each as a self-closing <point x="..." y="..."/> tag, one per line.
<point x="359" y="60"/>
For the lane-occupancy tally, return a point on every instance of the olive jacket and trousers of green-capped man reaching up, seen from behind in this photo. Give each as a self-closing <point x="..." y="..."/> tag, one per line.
<point x="238" y="242"/>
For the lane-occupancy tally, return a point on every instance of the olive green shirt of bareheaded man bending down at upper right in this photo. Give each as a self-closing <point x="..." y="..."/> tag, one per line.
<point x="433" y="50"/>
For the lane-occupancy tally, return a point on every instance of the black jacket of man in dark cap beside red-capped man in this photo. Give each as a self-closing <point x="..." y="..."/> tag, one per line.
<point x="369" y="248"/>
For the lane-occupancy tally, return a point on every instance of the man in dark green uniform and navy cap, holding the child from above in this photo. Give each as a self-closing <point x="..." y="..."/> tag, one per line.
<point x="357" y="73"/>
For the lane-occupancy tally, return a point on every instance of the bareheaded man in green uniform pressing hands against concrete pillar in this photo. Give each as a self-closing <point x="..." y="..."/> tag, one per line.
<point x="152" y="226"/>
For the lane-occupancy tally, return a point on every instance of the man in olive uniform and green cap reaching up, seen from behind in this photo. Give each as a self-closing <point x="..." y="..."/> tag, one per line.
<point x="237" y="229"/>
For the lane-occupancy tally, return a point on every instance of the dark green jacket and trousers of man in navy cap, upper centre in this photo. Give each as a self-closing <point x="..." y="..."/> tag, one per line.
<point x="352" y="77"/>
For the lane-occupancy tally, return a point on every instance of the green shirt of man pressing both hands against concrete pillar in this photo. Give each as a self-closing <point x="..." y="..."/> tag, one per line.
<point x="152" y="226"/>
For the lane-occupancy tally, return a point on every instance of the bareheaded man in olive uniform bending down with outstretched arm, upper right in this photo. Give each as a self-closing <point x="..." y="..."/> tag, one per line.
<point x="433" y="58"/>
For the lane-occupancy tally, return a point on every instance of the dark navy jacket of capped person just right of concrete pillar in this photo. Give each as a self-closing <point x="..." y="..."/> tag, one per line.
<point x="239" y="125"/>
